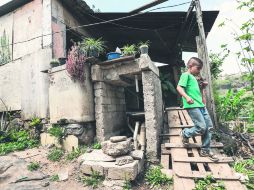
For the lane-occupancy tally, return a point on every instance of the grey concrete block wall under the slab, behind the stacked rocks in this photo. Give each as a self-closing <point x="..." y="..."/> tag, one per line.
<point x="109" y="110"/>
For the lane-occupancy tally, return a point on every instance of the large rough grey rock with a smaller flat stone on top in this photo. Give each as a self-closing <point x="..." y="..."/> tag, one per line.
<point x="116" y="149"/>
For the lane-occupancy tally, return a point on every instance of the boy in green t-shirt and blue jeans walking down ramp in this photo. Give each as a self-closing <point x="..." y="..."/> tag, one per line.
<point x="193" y="102"/>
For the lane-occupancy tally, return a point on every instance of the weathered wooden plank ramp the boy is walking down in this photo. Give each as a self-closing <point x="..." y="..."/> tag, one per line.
<point x="185" y="164"/>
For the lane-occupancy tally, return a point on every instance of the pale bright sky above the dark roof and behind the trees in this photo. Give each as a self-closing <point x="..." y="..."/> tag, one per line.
<point x="217" y="36"/>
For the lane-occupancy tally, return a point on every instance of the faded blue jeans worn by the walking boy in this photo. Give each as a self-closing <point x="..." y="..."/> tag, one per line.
<point x="202" y="125"/>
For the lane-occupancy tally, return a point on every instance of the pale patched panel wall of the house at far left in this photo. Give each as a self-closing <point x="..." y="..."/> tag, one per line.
<point x="23" y="85"/>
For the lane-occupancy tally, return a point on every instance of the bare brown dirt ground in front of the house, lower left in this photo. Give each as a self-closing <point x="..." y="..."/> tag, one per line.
<point x="13" y="170"/>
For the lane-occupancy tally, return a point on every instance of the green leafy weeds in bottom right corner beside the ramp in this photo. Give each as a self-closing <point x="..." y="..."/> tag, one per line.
<point x="246" y="167"/>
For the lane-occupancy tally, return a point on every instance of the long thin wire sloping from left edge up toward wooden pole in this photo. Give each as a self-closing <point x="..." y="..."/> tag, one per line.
<point x="94" y="24"/>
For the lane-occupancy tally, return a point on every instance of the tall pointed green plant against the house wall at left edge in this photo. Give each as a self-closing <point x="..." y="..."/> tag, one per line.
<point x="5" y="53"/>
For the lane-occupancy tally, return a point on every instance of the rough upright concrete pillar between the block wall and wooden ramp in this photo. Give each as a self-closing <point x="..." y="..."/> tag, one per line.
<point x="153" y="112"/>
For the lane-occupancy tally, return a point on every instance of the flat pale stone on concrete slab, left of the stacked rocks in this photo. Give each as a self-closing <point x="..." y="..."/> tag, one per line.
<point x="97" y="155"/>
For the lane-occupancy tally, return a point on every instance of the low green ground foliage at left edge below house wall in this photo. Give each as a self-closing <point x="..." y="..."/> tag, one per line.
<point x="16" y="140"/>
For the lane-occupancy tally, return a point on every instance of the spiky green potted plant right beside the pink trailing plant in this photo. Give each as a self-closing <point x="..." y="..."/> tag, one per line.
<point x="93" y="47"/>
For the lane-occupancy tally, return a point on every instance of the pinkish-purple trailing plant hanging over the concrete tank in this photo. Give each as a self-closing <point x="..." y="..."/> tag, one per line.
<point x="75" y="64"/>
